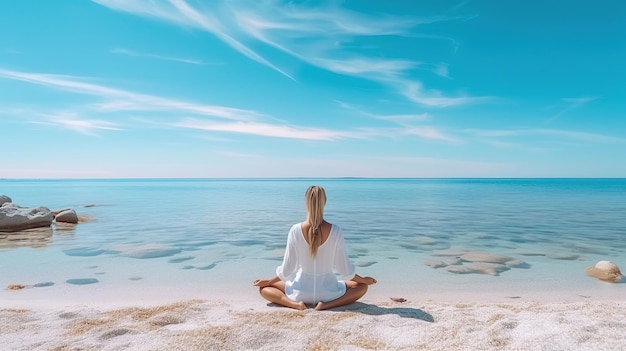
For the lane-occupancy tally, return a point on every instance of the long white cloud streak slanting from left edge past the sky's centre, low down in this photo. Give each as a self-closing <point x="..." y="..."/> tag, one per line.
<point x="209" y="117"/>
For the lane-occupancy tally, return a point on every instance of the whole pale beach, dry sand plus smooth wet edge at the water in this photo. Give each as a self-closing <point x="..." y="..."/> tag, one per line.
<point x="180" y="312"/>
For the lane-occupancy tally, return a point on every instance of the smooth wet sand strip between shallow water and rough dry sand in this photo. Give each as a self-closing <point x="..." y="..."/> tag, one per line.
<point x="129" y="293"/>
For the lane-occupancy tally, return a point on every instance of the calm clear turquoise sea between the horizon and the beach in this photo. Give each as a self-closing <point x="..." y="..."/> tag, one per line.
<point x="211" y="236"/>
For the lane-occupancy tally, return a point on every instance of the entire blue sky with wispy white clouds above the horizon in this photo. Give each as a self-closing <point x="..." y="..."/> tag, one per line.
<point x="182" y="88"/>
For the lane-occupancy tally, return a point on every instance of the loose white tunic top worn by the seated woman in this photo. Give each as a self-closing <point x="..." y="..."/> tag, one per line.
<point x="312" y="280"/>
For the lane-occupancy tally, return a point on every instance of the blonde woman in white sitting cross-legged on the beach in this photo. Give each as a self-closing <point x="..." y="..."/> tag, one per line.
<point x="315" y="249"/>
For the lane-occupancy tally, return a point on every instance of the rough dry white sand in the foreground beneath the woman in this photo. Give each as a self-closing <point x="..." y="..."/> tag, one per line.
<point x="245" y="321"/>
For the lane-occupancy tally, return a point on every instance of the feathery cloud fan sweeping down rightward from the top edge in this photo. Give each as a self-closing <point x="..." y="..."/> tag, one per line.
<point x="317" y="34"/>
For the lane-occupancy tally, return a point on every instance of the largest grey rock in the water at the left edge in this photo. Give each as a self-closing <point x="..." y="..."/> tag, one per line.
<point x="15" y="218"/>
